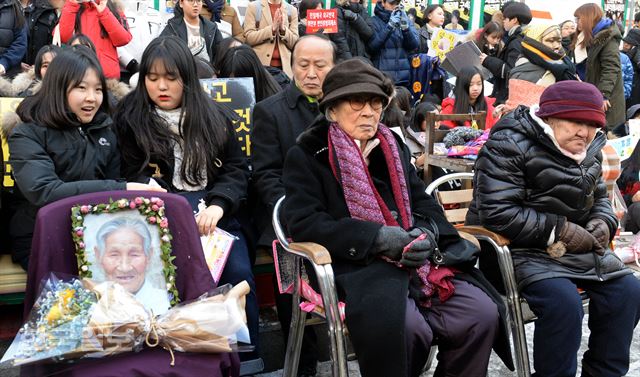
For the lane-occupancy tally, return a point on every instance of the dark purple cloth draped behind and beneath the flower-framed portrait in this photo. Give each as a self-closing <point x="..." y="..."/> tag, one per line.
<point x="53" y="251"/>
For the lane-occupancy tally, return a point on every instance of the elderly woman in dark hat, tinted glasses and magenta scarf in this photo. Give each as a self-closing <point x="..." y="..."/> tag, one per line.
<point x="350" y="186"/>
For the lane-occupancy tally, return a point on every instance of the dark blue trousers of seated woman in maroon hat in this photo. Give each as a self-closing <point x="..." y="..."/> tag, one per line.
<point x="614" y="310"/>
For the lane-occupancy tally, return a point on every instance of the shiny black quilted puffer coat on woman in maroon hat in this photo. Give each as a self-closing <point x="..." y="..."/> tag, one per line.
<point x="525" y="189"/>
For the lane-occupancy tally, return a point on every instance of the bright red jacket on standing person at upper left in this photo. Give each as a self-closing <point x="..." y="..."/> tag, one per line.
<point x="117" y="33"/>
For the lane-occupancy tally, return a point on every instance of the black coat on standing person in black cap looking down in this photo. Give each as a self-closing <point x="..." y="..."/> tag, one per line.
<point x="500" y="66"/>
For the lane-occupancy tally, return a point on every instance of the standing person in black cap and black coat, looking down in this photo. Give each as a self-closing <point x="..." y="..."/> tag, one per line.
<point x="516" y="16"/>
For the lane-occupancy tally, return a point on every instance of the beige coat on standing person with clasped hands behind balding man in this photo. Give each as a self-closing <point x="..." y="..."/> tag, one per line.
<point x="262" y="39"/>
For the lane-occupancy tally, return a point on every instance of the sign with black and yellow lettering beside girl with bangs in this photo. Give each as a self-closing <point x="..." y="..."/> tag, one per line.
<point x="237" y="94"/>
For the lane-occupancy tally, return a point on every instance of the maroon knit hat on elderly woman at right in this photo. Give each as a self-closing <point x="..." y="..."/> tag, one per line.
<point x="573" y="100"/>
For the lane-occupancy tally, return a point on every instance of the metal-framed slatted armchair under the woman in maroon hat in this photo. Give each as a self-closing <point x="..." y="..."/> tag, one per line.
<point x="518" y="311"/>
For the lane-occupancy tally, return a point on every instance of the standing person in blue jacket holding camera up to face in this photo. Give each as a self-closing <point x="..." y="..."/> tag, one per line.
<point x="394" y="37"/>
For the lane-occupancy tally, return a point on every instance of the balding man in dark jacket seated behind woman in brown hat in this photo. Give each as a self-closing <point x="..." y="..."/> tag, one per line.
<point x="278" y="121"/>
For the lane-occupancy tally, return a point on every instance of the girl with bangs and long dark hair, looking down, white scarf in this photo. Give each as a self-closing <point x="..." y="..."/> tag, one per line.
<point x="170" y="132"/>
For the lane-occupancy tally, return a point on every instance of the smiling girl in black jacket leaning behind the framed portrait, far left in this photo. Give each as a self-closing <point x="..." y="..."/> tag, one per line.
<point x="65" y="145"/>
